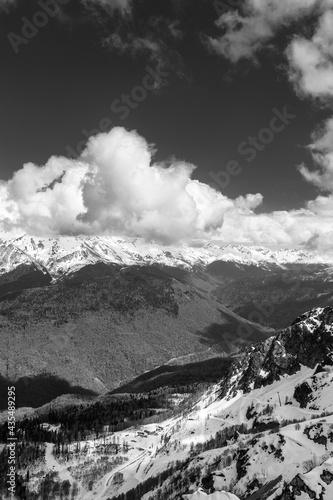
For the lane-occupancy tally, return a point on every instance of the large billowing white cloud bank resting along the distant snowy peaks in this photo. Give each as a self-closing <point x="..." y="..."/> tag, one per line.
<point x="115" y="187"/>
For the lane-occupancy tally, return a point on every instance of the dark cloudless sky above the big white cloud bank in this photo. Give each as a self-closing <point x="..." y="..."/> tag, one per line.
<point x="67" y="76"/>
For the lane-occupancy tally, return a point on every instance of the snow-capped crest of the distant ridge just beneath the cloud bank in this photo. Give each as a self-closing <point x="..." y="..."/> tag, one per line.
<point x="62" y="255"/>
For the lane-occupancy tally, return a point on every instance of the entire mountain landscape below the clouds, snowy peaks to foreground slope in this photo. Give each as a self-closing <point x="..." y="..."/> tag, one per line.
<point x="167" y="376"/>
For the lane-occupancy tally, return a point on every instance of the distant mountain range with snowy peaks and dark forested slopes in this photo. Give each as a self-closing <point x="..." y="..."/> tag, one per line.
<point x="97" y="312"/>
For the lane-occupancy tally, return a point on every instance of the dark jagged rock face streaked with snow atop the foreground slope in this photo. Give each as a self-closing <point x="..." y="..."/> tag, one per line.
<point x="308" y="342"/>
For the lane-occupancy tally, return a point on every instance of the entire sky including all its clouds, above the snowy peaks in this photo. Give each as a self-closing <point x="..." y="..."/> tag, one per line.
<point x="170" y="120"/>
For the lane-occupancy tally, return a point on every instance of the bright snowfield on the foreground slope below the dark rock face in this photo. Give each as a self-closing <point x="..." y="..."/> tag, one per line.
<point x="283" y="453"/>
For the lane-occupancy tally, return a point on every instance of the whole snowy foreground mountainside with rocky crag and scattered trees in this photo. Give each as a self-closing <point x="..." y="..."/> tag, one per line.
<point x="265" y="432"/>
